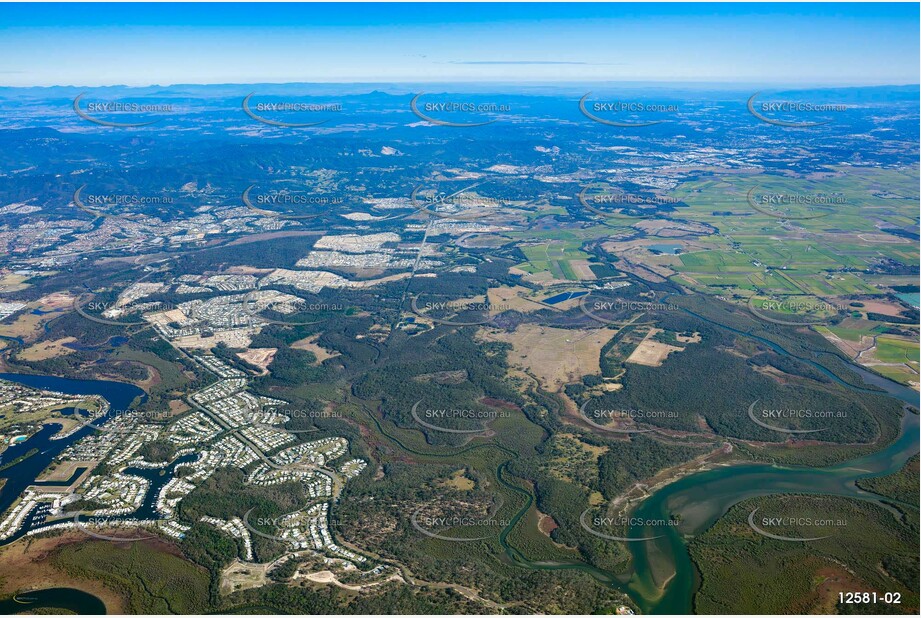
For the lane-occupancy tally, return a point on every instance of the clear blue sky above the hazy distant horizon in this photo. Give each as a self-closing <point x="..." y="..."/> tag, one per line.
<point x="143" y="44"/>
